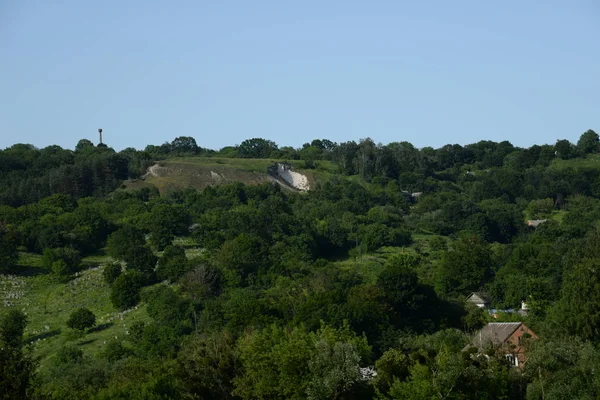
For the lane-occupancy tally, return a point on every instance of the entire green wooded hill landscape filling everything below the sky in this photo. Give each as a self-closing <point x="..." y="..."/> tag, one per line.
<point x="115" y="286"/>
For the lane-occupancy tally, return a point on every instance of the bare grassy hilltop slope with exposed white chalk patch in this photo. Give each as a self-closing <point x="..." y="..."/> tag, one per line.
<point x="201" y="172"/>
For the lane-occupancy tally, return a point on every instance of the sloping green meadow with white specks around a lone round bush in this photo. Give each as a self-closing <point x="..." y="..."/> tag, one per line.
<point x="48" y="304"/>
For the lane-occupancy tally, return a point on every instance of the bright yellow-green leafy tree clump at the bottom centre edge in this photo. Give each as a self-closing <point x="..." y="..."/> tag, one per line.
<point x="291" y="363"/>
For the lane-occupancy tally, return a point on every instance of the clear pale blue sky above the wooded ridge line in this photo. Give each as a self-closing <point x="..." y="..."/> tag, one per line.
<point x="428" y="72"/>
